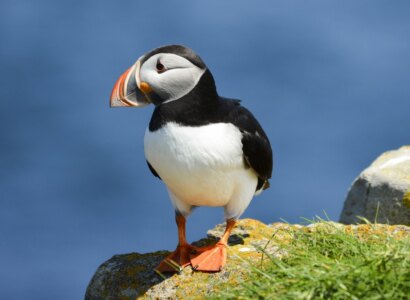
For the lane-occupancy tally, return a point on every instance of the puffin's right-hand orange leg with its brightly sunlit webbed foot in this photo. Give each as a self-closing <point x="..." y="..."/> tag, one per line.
<point x="213" y="258"/>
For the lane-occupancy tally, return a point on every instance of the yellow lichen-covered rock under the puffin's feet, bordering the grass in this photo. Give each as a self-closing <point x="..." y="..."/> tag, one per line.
<point x="131" y="276"/>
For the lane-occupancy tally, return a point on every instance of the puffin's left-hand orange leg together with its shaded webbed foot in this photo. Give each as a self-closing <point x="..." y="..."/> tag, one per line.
<point x="180" y="258"/>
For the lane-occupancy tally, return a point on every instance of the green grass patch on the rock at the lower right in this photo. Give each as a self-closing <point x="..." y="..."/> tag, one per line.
<point x="328" y="263"/>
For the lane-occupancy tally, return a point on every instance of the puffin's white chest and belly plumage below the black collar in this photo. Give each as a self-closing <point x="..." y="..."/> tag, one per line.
<point x="200" y="165"/>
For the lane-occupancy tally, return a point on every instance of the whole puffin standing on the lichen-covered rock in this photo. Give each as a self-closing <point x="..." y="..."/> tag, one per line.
<point x="208" y="150"/>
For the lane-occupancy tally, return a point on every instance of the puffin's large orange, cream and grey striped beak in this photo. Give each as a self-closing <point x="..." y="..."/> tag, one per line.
<point x="126" y="90"/>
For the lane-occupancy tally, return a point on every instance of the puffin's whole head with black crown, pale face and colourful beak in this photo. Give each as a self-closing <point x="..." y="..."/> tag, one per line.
<point x="162" y="75"/>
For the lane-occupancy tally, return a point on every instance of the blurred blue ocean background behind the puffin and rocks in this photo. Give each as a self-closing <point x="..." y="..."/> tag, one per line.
<point x="328" y="80"/>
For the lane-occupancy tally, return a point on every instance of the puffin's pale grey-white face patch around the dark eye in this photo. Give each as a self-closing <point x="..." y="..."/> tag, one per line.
<point x="170" y="76"/>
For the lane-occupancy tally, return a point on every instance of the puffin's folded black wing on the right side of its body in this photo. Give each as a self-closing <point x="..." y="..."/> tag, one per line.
<point x="255" y="144"/>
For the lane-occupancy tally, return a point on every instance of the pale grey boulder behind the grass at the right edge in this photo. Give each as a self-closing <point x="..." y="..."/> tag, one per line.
<point x="381" y="193"/>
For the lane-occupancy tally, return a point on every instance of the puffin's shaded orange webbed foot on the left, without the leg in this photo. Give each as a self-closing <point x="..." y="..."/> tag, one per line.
<point x="177" y="260"/>
